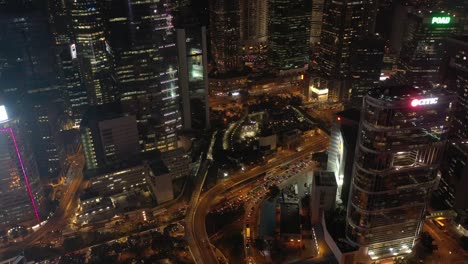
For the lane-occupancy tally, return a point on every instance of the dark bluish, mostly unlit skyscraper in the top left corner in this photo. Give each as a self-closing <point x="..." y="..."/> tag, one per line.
<point x="26" y="58"/>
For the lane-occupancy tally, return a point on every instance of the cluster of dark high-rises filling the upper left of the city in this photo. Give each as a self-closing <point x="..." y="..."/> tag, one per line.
<point x="121" y="78"/>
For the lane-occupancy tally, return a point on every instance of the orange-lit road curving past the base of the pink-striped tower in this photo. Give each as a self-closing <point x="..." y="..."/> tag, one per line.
<point x="65" y="210"/>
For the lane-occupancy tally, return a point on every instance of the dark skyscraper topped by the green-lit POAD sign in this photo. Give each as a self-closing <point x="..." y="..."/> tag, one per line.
<point x="422" y="49"/>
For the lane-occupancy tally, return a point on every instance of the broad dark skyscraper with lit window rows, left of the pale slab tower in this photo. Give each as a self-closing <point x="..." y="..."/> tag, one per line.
<point x="143" y="42"/>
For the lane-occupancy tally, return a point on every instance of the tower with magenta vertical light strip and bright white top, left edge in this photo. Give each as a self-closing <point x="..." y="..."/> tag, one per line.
<point x="20" y="192"/>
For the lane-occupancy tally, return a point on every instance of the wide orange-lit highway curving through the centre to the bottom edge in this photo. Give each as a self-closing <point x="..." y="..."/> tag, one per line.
<point x="197" y="237"/>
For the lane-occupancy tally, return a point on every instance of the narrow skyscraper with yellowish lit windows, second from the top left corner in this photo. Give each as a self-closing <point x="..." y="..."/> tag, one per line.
<point x="92" y="50"/>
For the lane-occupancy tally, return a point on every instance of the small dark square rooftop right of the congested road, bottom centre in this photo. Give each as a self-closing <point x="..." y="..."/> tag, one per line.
<point x="290" y="220"/>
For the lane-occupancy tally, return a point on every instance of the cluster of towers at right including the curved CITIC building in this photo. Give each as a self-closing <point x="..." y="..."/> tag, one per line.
<point x="404" y="146"/>
